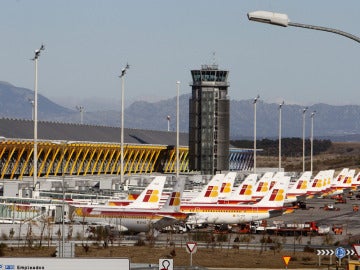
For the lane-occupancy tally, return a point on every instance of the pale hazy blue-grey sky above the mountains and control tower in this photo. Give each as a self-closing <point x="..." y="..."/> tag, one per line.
<point x="88" y="42"/>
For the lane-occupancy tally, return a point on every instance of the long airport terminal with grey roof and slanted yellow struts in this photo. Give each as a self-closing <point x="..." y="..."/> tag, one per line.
<point x="81" y="150"/>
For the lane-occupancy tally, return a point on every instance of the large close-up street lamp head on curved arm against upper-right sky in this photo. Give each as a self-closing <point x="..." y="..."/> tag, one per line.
<point x="283" y="20"/>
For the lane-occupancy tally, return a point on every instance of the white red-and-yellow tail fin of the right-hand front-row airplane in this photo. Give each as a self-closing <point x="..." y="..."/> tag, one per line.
<point x="276" y="196"/>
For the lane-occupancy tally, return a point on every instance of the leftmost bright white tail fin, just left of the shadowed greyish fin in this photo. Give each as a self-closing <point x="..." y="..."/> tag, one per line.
<point x="151" y="195"/>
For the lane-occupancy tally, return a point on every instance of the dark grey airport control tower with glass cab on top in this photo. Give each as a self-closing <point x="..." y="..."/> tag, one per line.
<point x="209" y="120"/>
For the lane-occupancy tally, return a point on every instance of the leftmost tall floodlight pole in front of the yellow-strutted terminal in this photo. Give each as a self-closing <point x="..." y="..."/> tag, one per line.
<point x="35" y="59"/>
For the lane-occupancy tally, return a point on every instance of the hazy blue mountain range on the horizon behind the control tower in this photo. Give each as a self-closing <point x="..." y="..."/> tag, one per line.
<point x="338" y="123"/>
